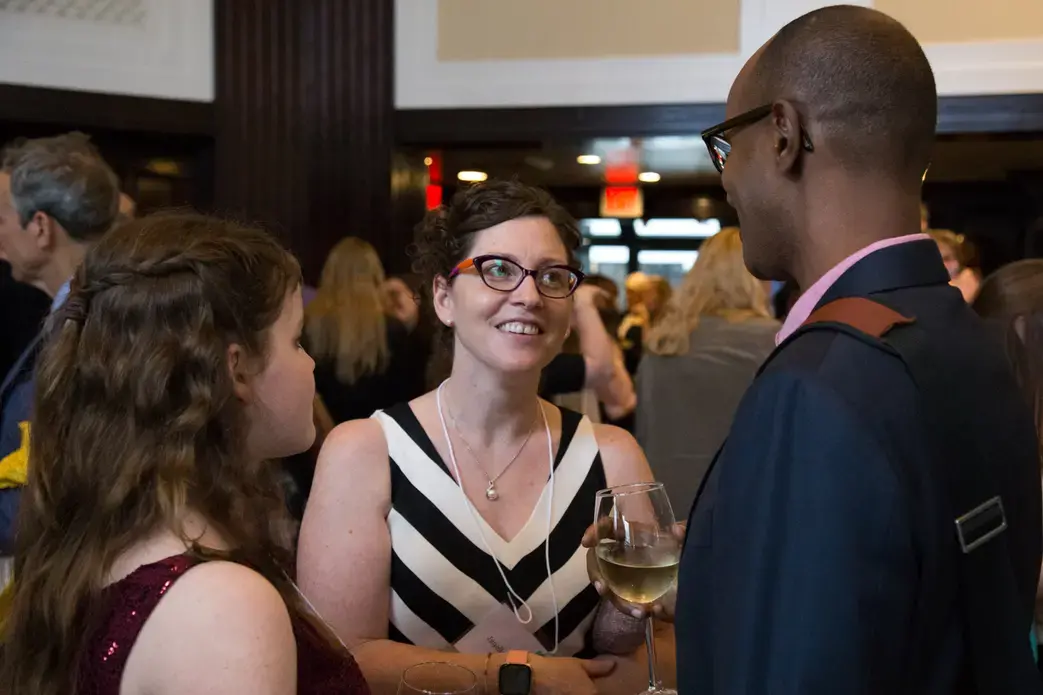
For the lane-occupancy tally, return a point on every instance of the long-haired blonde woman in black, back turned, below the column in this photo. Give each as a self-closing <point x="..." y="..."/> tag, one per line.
<point x="366" y="358"/>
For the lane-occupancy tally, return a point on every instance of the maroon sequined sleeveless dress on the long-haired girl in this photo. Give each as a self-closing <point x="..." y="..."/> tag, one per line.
<point x="321" y="670"/>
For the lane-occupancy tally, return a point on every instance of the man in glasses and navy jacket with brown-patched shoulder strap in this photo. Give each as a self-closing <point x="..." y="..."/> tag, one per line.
<point x="823" y="555"/>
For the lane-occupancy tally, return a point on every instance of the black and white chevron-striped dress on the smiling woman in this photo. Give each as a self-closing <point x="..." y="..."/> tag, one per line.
<point x="444" y="582"/>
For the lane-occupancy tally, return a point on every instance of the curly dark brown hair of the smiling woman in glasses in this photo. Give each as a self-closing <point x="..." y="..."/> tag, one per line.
<point x="447" y="234"/>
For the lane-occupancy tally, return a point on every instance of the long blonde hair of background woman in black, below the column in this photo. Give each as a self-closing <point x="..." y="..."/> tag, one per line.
<point x="347" y="322"/>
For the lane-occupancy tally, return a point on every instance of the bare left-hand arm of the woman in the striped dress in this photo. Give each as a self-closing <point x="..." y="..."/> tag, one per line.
<point x="344" y="568"/>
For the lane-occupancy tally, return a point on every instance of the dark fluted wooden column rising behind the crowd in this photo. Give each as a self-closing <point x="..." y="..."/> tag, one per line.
<point x="305" y="122"/>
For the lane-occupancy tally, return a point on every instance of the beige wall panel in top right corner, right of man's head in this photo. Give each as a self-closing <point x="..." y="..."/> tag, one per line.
<point x="964" y="21"/>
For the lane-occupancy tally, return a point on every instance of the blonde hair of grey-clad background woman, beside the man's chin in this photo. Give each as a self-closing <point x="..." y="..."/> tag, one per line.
<point x="718" y="285"/>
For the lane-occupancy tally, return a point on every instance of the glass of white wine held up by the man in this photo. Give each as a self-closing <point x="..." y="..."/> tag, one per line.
<point x="639" y="553"/>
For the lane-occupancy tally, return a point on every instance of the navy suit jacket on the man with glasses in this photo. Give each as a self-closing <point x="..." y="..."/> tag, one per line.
<point x="820" y="558"/>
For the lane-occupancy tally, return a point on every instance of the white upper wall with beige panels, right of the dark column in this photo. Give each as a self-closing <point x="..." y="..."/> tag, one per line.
<point x="475" y="54"/>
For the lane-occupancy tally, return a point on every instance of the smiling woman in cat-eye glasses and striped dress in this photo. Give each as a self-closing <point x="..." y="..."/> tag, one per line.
<point x="450" y="529"/>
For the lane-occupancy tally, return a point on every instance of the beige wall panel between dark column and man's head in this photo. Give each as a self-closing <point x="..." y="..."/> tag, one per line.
<point x="541" y="30"/>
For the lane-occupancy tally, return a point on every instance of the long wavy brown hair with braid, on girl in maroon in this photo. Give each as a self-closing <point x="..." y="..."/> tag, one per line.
<point x="136" y="423"/>
